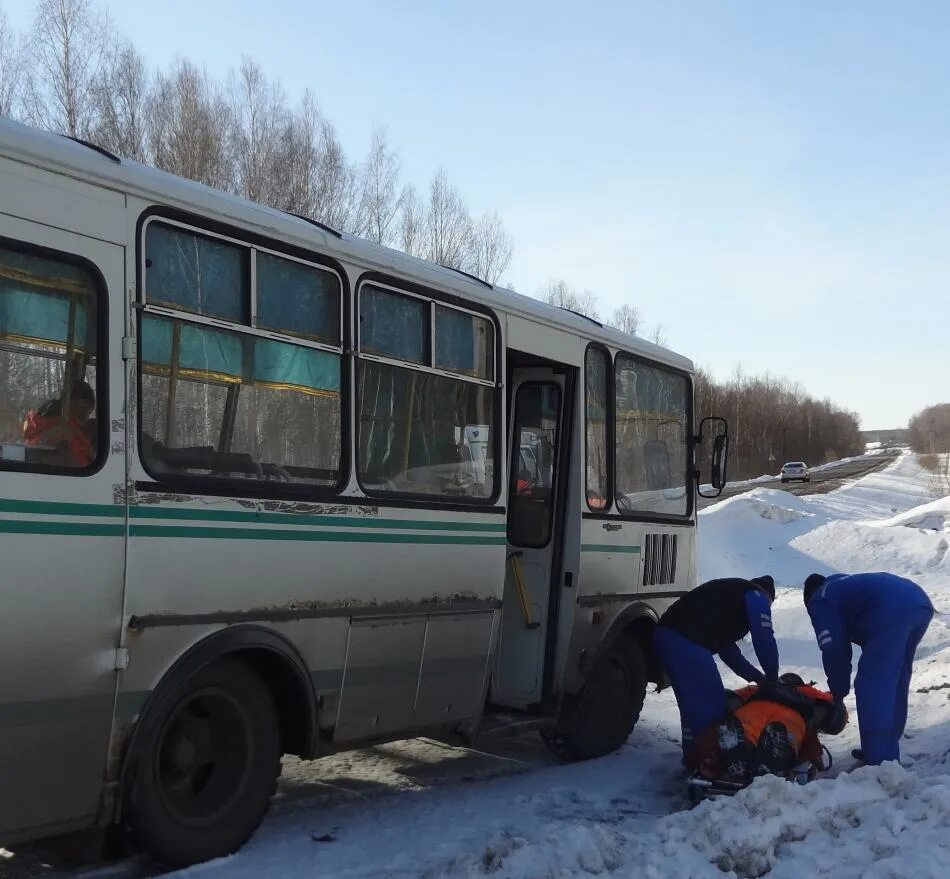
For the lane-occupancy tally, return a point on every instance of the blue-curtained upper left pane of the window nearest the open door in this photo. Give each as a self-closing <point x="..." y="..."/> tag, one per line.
<point x="394" y="326"/>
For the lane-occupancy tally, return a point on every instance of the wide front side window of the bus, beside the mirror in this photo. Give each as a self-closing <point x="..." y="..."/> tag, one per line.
<point x="652" y="450"/>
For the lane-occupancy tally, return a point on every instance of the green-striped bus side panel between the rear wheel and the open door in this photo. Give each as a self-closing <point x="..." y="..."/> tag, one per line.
<point x="384" y="595"/>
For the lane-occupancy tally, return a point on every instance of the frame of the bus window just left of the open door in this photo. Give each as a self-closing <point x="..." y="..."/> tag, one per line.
<point x="436" y="297"/>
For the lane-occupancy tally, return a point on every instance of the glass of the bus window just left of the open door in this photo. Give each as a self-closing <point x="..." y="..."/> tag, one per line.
<point x="426" y="417"/>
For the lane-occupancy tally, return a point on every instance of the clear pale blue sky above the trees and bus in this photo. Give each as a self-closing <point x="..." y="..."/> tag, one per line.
<point x="769" y="181"/>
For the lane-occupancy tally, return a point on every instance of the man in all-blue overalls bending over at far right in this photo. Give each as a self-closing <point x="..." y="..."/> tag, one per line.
<point x="886" y="616"/>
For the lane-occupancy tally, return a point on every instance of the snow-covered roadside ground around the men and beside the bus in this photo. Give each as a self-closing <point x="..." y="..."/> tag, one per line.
<point x="626" y="814"/>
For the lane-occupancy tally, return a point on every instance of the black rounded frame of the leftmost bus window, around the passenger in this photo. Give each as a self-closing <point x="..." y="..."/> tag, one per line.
<point x="102" y="362"/>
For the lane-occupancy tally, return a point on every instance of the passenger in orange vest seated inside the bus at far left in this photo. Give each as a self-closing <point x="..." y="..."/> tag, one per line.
<point x="65" y="424"/>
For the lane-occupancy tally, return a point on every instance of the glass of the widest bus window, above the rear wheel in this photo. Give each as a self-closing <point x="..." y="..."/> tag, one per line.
<point x="228" y="402"/>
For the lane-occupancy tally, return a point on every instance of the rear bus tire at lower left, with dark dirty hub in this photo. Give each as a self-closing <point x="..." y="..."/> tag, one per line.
<point x="207" y="766"/>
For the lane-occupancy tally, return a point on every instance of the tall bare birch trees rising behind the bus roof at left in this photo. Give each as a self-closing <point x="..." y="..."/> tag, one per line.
<point x="74" y="74"/>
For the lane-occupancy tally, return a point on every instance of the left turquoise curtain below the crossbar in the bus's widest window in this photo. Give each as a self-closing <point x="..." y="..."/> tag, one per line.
<point x="202" y="352"/>
